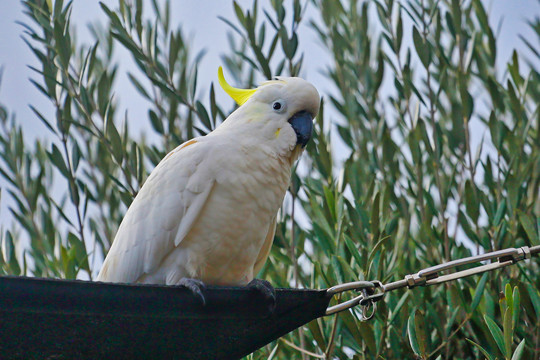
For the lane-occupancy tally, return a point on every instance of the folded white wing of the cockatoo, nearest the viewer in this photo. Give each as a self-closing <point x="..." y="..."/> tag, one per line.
<point x="161" y="215"/>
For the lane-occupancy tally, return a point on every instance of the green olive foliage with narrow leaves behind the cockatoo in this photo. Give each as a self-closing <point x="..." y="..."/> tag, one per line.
<point x="423" y="152"/>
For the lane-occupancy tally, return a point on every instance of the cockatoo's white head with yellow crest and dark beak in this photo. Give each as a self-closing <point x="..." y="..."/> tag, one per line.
<point x="279" y="112"/>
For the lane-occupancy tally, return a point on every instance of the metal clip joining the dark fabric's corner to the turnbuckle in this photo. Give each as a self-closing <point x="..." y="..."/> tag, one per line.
<point x="366" y="299"/>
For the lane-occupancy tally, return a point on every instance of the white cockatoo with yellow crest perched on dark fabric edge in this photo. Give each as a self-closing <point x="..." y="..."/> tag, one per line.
<point x="207" y="212"/>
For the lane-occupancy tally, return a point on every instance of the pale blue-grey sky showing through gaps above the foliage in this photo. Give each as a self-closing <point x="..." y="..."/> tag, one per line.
<point x="199" y="19"/>
